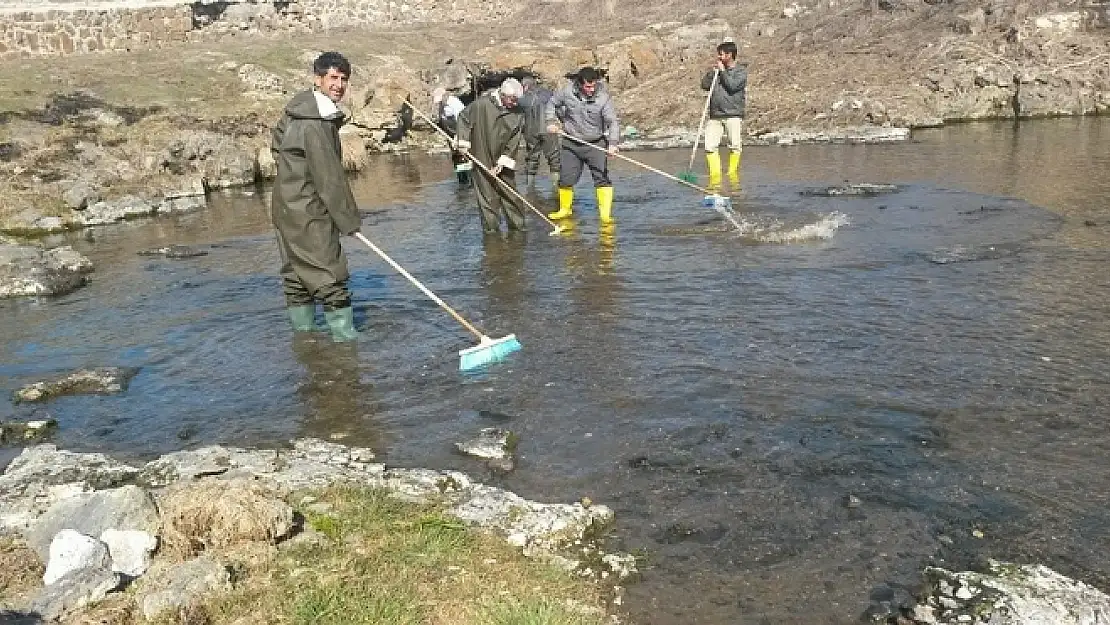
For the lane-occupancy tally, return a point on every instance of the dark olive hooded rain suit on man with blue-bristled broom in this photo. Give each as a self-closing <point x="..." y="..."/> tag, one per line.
<point x="312" y="201"/>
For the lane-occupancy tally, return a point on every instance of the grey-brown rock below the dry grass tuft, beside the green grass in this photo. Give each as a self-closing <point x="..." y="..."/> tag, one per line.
<point x="180" y="586"/>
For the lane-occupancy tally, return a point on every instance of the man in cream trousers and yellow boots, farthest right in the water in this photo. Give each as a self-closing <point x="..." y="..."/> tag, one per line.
<point x="726" y="110"/>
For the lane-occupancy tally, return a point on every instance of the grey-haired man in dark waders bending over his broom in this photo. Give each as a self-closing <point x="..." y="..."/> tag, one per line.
<point x="491" y="129"/>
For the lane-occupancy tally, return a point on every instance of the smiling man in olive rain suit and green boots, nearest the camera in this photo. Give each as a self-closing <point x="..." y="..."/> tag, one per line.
<point x="312" y="203"/>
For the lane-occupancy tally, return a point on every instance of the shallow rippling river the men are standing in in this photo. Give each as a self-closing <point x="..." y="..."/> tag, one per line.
<point x="790" y="420"/>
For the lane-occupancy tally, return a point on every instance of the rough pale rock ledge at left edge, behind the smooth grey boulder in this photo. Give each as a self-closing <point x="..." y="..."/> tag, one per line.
<point x="44" y="476"/>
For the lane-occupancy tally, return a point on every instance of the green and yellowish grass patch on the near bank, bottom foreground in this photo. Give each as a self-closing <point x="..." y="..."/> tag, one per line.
<point x="387" y="562"/>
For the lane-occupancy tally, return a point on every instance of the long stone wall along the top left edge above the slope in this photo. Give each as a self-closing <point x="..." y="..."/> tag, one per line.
<point x="66" y="27"/>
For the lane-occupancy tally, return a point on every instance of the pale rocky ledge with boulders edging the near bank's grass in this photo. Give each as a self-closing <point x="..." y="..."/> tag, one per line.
<point x="97" y="535"/>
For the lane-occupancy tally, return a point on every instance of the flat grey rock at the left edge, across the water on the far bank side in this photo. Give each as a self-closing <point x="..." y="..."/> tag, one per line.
<point x="28" y="270"/>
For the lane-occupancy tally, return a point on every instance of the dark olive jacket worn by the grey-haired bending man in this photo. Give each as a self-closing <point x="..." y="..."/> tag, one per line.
<point x="491" y="132"/>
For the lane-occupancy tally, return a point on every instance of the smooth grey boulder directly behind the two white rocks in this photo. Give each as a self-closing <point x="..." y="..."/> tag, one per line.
<point x="127" y="508"/>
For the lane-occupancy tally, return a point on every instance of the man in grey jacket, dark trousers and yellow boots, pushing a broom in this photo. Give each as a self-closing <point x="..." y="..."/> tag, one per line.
<point x="586" y="110"/>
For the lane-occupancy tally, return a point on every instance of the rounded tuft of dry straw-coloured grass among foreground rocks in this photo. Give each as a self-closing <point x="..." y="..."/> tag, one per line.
<point x="213" y="515"/>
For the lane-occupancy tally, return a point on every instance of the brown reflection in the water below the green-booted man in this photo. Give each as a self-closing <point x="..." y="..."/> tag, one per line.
<point x="340" y="407"/>
